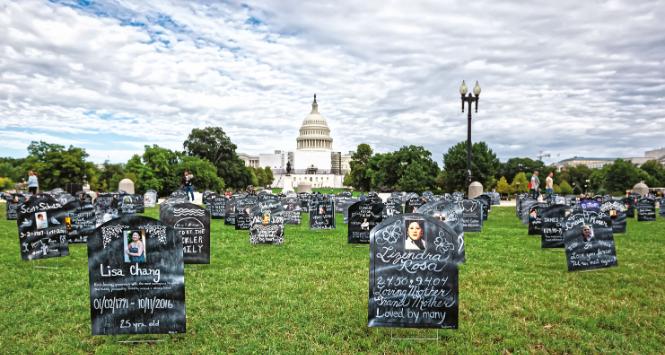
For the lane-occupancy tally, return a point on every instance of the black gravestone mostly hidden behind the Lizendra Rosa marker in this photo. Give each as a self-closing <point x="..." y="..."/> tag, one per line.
<point x="450" y="213"/>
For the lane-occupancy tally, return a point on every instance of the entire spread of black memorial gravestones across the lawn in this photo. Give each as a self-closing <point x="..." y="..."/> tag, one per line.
<point x="136" y="263"/>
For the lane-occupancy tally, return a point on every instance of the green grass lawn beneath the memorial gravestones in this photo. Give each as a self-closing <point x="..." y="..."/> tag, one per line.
<point x="310" y="295"/>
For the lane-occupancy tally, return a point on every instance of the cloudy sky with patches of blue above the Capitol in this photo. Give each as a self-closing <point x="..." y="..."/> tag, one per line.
<point x="563" y="77"/>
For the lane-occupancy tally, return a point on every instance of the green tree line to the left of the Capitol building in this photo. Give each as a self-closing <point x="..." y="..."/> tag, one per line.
<point x="208" y="153"/>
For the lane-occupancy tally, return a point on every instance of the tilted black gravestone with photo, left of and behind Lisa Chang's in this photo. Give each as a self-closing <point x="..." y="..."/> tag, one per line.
<point x="41" y="228"/>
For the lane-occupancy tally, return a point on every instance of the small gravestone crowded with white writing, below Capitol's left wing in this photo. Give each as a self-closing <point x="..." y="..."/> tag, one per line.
<point x="267" y="226"/>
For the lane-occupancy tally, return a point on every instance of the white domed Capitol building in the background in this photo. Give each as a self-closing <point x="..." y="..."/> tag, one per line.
<point x="314" y="160"/>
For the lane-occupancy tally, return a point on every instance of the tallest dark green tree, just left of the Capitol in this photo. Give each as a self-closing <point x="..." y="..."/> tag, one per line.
<point x="212" y="144"/>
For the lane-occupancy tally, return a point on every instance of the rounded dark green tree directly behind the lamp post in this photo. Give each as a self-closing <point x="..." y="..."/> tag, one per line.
<point x="484" y="166"/>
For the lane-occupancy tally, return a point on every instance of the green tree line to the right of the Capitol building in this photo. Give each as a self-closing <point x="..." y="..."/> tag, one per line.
<point x="411" y="168"/>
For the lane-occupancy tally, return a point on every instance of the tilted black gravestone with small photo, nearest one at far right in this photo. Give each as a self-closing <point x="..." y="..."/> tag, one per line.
<point x="588" y="240"/>
